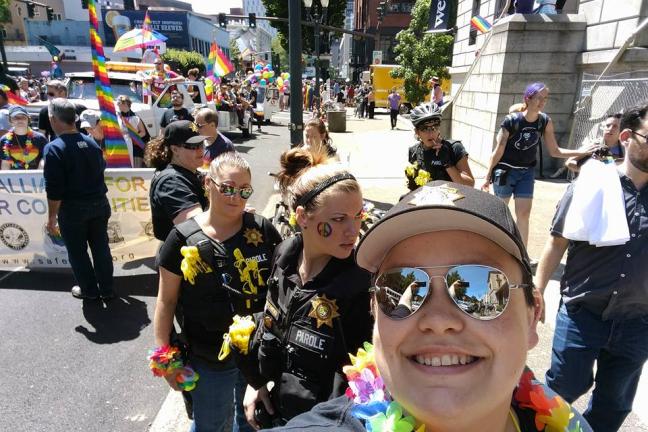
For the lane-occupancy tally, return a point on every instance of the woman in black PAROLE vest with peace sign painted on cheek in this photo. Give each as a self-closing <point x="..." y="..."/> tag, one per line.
<point x="317" y="309"/>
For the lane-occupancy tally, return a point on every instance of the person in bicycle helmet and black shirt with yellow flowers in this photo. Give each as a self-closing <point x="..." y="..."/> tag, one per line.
<point x="432" y="157"/>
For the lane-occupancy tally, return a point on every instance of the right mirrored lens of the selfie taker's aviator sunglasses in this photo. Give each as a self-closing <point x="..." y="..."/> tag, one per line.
<point x="480" y="291"/>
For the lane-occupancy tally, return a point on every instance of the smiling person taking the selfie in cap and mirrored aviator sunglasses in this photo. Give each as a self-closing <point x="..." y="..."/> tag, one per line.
<point x="453" y="324"/>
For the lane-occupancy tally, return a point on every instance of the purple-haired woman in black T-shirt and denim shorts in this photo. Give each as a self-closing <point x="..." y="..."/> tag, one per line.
<point x="512" y="164"/>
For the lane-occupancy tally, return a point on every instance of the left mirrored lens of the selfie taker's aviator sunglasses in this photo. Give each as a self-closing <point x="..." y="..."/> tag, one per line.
<point x="401" y="292"/>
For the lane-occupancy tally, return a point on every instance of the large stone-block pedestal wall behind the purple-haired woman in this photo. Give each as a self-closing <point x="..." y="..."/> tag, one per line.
<point x="523" y="49"/>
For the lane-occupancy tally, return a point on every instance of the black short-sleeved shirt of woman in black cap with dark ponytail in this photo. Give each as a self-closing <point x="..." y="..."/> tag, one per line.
<point x="173" y="190"/>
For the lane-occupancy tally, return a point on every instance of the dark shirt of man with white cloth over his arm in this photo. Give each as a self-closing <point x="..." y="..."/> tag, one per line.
<point x="610" y="281"/>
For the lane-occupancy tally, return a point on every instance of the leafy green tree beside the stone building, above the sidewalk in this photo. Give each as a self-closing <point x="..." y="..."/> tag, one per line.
<point x="421" y="55"/>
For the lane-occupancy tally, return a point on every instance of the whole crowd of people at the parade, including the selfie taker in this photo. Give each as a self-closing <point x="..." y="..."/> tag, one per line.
<point x="438" y="336"/>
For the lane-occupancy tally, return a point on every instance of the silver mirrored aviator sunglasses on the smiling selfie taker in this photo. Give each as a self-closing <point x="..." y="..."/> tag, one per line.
<point x="479" y="291"/>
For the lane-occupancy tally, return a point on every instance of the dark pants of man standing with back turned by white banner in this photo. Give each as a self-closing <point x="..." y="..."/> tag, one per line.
<point x="83" y="224"/>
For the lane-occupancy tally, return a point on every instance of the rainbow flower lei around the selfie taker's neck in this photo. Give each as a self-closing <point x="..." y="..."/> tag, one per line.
<point x="374" y="406"/>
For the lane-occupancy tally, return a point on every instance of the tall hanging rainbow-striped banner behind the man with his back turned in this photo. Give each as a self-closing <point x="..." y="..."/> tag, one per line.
<point x="116" y="150"/>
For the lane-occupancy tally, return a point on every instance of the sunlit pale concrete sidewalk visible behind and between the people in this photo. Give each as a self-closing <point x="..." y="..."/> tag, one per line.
<point x="377" y="156"/>
